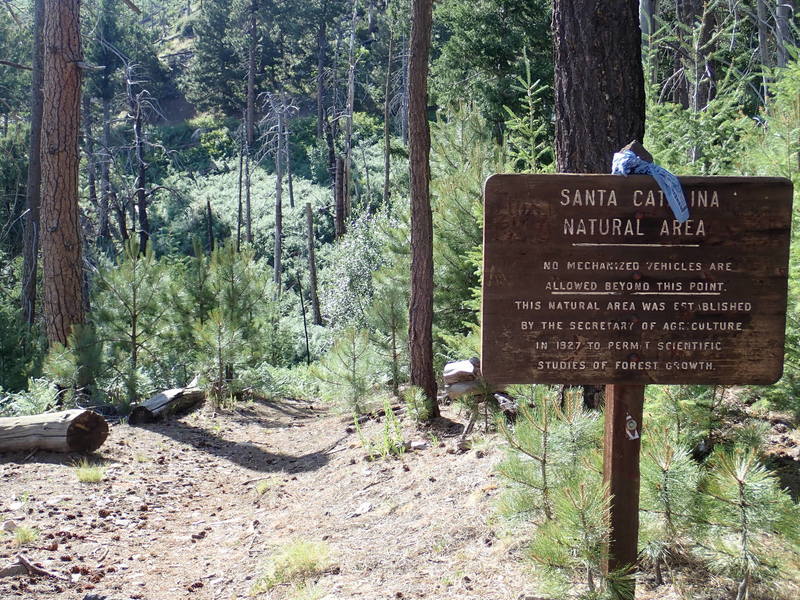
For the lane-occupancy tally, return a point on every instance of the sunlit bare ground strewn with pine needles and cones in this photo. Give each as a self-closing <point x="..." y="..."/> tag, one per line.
<point x="178" y="515"/>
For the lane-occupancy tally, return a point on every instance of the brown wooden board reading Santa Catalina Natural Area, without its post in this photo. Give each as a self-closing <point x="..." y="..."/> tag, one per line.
<point x="588" y="279"/>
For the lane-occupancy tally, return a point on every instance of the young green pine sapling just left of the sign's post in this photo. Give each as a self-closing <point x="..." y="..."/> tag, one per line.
<point x="554" y="482"/>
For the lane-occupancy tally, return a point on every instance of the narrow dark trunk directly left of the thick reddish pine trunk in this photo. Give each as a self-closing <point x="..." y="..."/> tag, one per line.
<point x="30" y="251"/>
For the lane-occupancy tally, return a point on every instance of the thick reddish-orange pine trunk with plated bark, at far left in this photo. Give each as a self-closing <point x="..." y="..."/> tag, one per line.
<point x="61" y="244"/>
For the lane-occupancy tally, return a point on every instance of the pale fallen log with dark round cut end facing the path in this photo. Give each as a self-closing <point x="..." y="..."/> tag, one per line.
<point x="75" y="430"/>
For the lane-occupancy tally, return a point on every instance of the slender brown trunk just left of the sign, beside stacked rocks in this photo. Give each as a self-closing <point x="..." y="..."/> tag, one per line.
<point x="420" y="322"/>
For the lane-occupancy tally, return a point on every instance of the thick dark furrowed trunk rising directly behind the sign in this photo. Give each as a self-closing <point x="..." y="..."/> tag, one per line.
<point x="599" y="88"/>
